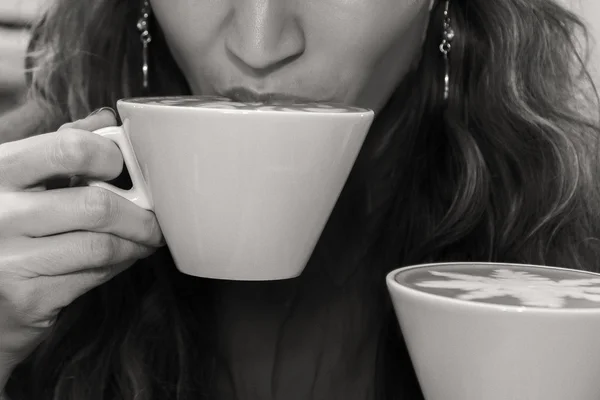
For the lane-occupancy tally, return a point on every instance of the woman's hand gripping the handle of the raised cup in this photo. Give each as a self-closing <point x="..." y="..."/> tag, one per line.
<point x="56" y="245"/>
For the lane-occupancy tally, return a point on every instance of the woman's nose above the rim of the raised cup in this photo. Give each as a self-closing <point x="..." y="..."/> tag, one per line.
<point x="264" y="35"/>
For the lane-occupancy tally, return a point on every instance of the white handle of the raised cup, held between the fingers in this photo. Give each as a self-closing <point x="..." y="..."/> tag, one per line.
<point x="139" y="193"/>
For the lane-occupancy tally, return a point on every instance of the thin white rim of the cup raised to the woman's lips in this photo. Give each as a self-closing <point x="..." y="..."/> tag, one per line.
<point x="133" y="102"/>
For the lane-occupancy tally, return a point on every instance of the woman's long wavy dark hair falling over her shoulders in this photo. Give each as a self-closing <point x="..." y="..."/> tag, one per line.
<point x="506" y="170"/>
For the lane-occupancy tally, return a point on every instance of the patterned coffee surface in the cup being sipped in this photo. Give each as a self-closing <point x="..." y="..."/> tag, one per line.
<point x="224" y="103"/>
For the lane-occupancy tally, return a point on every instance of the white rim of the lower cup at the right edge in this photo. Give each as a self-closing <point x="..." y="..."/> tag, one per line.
<point x="394" y="285"/>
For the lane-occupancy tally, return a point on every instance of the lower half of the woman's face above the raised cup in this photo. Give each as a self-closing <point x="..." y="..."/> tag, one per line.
<point x="350" y="51"/>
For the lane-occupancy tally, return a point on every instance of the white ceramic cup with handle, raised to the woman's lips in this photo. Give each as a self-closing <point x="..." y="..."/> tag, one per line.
<point x="241" y="191"/>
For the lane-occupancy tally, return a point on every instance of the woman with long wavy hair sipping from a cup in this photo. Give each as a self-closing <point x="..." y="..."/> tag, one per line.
<point x="484" y="148"/>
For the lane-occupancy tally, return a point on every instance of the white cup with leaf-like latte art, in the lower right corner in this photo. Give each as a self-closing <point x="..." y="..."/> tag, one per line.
<point x="487" y="331"/>
